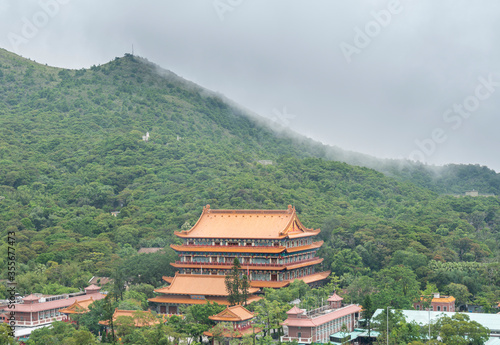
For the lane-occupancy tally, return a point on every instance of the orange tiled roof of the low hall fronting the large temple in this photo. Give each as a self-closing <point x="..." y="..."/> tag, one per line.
<point x="198" y="284"/>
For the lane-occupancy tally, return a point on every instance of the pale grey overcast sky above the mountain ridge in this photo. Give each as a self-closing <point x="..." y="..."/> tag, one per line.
<point x="393" y="79"/>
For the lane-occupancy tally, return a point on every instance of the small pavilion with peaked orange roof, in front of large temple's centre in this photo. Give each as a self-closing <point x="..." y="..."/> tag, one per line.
<point x="239" y="321"/>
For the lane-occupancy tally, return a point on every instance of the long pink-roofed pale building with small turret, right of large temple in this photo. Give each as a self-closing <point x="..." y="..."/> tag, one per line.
<point x="316" y="326"/>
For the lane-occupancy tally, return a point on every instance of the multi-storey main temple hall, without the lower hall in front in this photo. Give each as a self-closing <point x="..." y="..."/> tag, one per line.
<point x="273" y="246"/>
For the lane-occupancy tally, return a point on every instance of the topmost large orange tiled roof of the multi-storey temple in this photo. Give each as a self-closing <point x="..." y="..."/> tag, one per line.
<point x="251" y="224"/>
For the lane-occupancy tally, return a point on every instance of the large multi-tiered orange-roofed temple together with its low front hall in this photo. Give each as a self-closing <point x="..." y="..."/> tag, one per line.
<point x="273" y="247"/>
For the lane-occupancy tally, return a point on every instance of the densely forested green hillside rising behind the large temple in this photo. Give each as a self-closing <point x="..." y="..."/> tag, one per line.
<point x="71" y="151"/>
